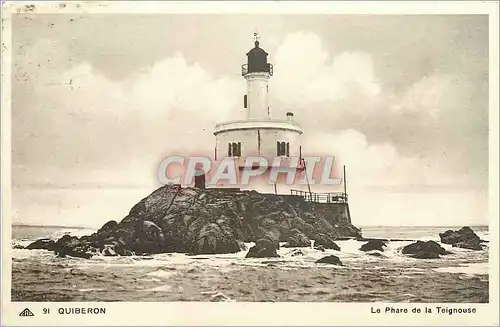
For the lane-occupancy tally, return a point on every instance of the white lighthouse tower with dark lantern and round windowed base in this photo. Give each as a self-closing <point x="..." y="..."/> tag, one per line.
<point x="257" y="133"/>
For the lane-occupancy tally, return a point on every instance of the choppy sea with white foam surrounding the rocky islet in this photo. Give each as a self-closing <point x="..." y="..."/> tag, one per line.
<point x="390" y="276"/>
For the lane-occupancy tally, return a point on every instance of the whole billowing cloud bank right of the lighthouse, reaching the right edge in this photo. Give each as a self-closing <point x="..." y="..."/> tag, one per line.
<point x="423" y="123"/>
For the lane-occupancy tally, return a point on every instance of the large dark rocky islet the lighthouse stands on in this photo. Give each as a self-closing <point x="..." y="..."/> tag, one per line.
<point x="197" y="221"/>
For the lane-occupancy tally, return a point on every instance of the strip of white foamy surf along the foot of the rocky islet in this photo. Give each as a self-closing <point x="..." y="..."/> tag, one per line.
<point x="350" y="254"/>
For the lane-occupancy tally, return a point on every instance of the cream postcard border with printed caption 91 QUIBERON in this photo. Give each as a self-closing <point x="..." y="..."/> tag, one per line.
<point x="243" y="313"/>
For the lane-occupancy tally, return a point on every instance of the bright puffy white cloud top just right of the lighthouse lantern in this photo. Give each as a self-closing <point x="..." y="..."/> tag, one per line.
<point x="306" y="74"/>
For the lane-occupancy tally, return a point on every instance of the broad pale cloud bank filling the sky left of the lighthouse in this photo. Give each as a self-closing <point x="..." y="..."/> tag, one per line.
<point x="79" y="120"/>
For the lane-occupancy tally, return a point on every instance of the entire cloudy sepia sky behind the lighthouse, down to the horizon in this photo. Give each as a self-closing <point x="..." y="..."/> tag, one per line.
<point x="98" y="100"/>
